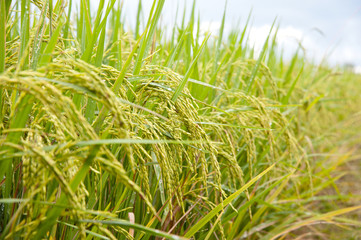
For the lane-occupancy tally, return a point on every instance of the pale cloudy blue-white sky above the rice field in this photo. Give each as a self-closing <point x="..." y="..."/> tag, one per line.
<point x="329" y="28"/>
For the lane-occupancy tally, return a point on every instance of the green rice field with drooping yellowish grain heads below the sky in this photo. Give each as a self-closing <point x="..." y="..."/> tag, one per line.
<point x="107" y="133"/>
